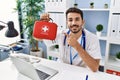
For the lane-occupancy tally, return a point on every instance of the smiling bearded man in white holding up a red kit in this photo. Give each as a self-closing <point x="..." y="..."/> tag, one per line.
<point x="78" y="46"/>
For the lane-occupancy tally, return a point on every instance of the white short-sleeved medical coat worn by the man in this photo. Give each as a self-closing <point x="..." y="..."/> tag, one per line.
<point x="92" y="47"/>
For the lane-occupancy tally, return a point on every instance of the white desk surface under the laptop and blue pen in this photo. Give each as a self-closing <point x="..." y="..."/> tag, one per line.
<point x="66" y="72"/>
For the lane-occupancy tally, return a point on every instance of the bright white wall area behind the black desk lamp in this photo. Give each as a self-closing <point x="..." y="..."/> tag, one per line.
<point x="7" y="13"/>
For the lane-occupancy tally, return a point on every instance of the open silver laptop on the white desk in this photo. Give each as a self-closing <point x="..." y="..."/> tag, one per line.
<point x="24" y="66"/>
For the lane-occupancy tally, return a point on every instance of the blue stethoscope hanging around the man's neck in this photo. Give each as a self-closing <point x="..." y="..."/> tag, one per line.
<point x="82" y="42"/>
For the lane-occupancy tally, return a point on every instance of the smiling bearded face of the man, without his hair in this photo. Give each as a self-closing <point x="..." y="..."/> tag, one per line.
<point x="74" y="22"/>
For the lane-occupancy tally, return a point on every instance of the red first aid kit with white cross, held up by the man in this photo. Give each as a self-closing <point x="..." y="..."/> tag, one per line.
<point x="44" y="30"/>
